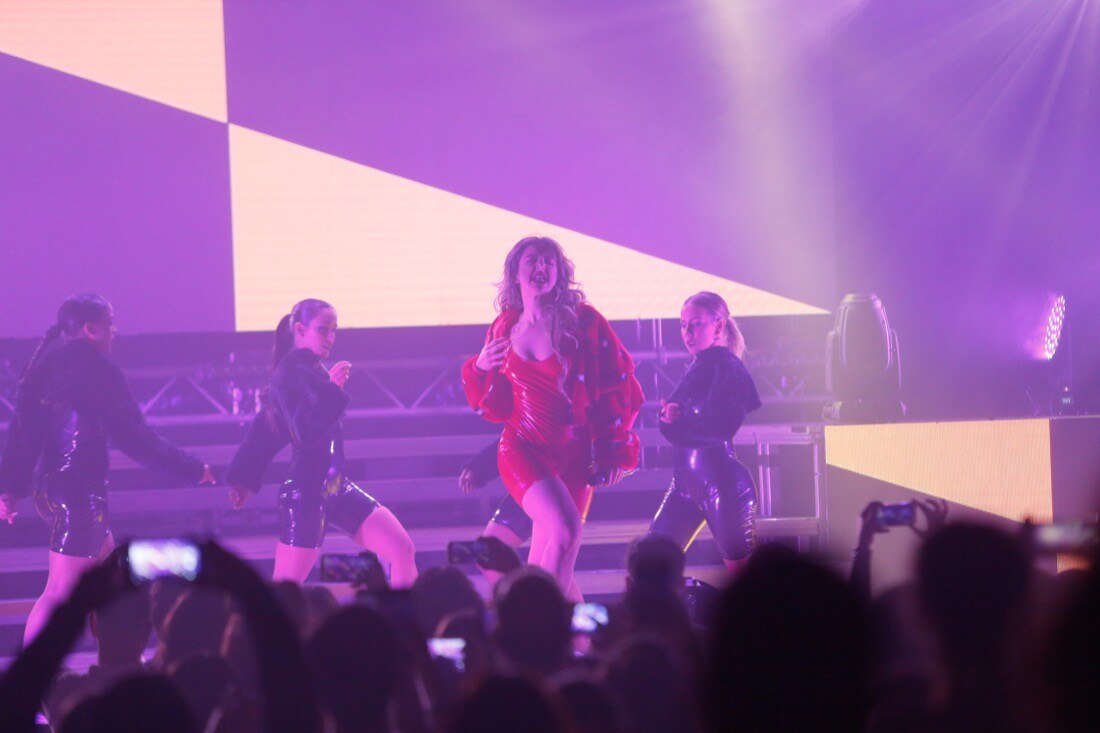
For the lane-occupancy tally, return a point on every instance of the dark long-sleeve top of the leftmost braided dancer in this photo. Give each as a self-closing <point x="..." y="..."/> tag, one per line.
<point x="74" y="404"/>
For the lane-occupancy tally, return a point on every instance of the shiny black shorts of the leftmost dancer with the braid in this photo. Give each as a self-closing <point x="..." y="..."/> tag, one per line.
<point x="78" y="516"/>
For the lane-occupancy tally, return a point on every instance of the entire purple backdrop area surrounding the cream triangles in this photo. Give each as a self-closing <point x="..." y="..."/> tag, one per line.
<point x="940" y="155"/>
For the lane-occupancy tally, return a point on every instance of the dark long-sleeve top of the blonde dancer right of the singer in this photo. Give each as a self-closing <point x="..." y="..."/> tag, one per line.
<point x="717" y="393"/>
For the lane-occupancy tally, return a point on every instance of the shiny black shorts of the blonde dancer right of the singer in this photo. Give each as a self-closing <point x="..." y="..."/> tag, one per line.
<point x="711" y="486"/>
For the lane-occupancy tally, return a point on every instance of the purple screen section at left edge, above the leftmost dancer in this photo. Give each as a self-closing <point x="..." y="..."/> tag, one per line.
<point x="103" y="191"/>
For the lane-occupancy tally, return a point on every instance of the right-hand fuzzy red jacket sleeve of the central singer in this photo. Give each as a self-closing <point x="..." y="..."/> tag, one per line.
<point x="615" y="395"/>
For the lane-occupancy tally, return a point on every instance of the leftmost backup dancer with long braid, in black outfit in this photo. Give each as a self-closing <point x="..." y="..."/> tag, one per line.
<point x="72" y="402"/>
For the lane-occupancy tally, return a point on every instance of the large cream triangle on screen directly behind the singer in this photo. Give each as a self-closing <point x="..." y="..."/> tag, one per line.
<point x="389" y="251"/>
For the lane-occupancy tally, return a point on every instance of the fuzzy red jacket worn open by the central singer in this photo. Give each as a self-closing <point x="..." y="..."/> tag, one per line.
<point x="600" y="382"/>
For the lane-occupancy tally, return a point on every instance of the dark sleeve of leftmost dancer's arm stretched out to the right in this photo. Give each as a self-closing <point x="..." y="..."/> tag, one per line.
<point x="131" y="434"/>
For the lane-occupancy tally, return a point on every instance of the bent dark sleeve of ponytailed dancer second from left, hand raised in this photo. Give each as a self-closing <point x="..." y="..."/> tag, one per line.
<point x="311" y="402"/>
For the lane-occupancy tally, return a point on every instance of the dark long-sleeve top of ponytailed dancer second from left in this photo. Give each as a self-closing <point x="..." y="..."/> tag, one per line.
<point x="304" y="408"/>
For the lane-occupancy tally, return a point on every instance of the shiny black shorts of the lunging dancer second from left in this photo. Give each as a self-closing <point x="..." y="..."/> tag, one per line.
<point x="305" y="513"/>
